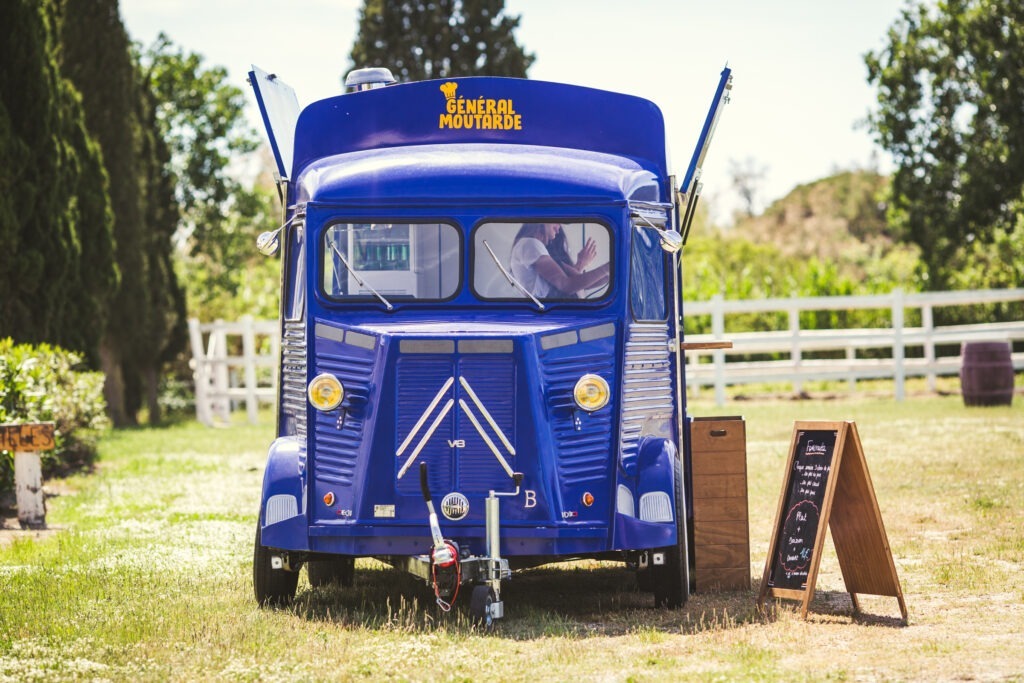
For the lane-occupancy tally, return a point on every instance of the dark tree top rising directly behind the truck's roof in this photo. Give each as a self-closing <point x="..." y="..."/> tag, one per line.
<point x="424" y="39"/>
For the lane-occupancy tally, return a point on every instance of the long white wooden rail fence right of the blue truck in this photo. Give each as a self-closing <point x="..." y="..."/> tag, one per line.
<point x="720" y="368"/>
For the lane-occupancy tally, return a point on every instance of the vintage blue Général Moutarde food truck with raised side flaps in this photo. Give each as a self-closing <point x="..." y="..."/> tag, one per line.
<point x="481" y="359"/>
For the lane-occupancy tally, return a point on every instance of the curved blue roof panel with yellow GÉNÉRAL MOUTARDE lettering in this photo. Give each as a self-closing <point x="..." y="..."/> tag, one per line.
<point x="496" y="114"/>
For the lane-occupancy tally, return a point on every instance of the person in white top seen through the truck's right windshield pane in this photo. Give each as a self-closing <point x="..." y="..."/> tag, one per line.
<point x="542" y="263"/>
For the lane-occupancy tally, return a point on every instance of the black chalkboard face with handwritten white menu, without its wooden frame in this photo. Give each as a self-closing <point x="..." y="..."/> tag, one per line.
<point x="802" y="511"/>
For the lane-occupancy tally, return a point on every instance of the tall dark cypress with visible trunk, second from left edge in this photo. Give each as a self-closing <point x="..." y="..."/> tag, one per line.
<point x="147" y="321"/>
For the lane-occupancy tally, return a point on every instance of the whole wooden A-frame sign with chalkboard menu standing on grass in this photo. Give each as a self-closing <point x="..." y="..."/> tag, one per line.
<point x="828" y="486"/>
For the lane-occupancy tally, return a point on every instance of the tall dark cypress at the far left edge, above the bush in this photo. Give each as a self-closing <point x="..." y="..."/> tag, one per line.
<point x="58" y="272"/>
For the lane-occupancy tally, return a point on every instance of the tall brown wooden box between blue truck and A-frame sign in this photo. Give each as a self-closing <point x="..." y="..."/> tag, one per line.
<point x="721" y="528"/>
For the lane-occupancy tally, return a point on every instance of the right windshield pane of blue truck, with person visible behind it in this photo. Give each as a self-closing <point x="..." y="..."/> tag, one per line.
<point x="553" y="262"/>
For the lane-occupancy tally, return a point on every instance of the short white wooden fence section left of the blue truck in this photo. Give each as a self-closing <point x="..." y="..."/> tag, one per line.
<point x="234" y="363"/>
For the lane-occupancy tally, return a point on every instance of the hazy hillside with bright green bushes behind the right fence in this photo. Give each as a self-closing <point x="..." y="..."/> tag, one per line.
<point x="828" y="238"/>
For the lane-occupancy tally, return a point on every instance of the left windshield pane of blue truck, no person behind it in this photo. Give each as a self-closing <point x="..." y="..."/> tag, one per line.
<point x="395" y="261"/>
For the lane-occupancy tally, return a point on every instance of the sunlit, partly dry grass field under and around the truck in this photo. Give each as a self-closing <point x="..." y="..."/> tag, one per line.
<point x="150" y="578"/>
